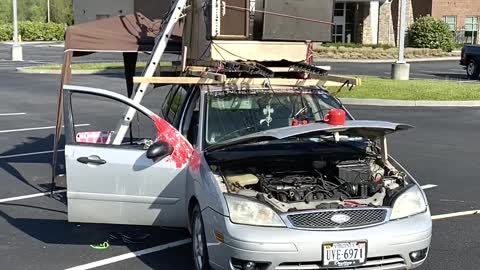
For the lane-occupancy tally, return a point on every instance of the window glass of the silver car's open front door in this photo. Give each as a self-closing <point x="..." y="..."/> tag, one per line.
<point x="95" y="121"/>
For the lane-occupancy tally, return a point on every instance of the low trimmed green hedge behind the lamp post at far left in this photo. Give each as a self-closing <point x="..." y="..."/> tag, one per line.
<point x="34" y="31"/>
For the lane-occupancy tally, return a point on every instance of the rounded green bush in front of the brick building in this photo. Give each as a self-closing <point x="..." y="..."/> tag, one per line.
<point x="428" y="32"/>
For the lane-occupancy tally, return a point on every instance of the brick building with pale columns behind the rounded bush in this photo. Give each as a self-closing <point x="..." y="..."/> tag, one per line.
<point x="376" y="22"/>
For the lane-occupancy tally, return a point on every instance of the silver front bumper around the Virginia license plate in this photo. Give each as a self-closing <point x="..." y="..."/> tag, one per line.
<point x="389" y="244"/>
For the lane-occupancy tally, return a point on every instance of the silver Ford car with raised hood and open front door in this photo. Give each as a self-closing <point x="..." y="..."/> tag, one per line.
<point x="264" y="178"/>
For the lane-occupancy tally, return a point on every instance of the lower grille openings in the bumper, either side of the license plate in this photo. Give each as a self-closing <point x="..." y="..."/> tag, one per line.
<point x="376" y="263"/>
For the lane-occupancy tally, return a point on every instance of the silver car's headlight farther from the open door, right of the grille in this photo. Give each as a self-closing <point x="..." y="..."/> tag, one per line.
<point x="409" y="203"/>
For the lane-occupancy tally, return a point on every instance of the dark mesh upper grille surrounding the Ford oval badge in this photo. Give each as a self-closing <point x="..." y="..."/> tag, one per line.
<point x="323" y="220"/>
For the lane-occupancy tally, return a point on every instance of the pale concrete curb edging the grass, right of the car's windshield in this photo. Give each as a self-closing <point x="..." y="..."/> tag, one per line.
<point x="409" y="103"/>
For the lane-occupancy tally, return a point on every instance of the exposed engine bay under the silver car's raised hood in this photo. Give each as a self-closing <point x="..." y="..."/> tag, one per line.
<point x="297" y="185"/>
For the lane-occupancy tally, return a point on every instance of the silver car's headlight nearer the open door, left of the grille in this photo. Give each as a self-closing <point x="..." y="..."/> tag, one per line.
<point x="249" y="212"/>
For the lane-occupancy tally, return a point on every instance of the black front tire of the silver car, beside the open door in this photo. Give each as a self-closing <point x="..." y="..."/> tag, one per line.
<point x="199" y="243"/>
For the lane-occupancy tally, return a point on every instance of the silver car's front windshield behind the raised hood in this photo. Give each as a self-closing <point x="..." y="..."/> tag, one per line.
<point x="231" y="114"/>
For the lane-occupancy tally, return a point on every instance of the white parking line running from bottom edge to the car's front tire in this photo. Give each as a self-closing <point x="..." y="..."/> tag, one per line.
<point x="130" y="255"/>
